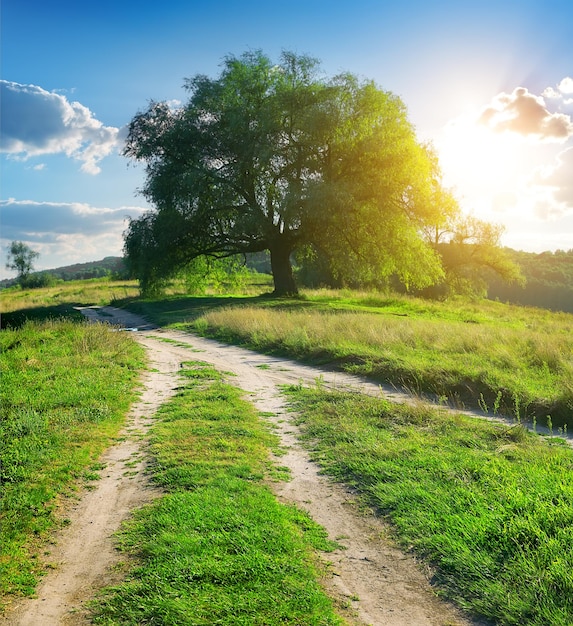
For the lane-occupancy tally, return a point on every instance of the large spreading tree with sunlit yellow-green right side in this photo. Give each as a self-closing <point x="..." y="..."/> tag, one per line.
<point x="275" y="157"/>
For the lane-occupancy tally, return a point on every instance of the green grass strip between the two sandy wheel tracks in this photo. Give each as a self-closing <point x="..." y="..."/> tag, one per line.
<point x="217" y="548"/>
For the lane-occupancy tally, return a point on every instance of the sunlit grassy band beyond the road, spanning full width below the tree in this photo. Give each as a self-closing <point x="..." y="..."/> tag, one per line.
<point x="513" y="359"/>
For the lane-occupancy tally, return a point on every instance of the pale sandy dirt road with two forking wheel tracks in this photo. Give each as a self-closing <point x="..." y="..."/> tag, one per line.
<point x="376" y="583"/>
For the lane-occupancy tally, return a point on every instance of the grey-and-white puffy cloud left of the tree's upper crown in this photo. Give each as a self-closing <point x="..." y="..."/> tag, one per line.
<point x="39" y="122"/>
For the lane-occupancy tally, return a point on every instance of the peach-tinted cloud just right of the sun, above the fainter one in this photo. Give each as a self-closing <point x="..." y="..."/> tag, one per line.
<point x="526" y="114"/>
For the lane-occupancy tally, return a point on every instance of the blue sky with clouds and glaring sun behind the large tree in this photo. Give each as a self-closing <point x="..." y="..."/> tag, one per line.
<point x="488" y="83"/>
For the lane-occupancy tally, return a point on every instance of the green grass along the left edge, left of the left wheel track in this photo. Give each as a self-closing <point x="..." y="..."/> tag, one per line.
<point x="65" y="391"/>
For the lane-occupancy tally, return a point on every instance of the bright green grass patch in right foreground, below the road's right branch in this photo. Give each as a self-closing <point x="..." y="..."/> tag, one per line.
<point x="490" y="507"/>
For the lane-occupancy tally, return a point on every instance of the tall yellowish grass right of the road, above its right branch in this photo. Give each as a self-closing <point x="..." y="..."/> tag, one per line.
<point x="523" y="366"/>
